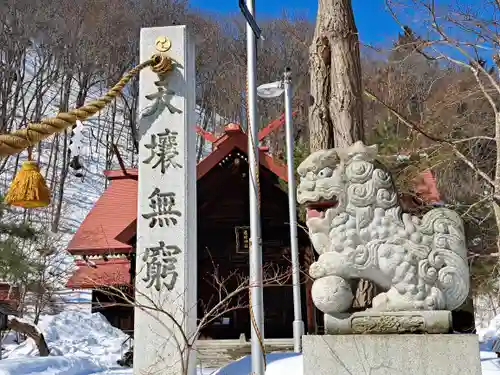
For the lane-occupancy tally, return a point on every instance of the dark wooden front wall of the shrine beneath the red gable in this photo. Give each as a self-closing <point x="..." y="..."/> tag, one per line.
<point x="223" y="206"/>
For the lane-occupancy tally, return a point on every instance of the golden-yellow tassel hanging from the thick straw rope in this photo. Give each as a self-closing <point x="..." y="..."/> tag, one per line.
<point x="28" y="190"/>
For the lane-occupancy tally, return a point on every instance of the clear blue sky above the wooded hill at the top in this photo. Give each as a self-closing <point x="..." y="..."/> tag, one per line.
<point x="373" y="22"/>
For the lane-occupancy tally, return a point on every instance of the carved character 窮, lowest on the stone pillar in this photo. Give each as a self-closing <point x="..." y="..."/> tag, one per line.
<point x="160" y="266"/>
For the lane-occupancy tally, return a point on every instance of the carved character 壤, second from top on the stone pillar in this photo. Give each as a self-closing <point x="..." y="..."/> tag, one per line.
<point x="163" y="150"/>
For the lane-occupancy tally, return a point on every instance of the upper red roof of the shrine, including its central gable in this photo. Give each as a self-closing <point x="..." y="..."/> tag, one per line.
<point x="111" y="223"/>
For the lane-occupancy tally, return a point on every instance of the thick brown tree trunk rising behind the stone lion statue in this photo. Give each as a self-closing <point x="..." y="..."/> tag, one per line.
<point x="336" y="111"/>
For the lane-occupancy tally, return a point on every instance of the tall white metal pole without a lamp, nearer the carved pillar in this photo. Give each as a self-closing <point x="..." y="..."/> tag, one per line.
<point x="257" y="301"/>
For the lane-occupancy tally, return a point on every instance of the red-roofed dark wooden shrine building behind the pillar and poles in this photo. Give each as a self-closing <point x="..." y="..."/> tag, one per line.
<point x="104" y="245"/>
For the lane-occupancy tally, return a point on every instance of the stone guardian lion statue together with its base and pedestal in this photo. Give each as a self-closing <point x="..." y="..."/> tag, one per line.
<point x="419" y="265"/>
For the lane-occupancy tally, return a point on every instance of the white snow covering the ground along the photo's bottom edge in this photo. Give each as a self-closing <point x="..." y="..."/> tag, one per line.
<point x="82" y="343"/>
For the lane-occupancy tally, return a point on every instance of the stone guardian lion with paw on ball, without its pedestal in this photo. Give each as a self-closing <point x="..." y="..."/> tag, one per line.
<point x="360" y="232"/>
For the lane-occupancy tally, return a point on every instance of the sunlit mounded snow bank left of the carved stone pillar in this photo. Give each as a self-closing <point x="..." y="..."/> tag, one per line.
<point x="75" y="333"/>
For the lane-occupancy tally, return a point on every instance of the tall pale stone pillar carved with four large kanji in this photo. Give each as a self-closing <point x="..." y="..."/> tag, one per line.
<point x="165" y="282"/>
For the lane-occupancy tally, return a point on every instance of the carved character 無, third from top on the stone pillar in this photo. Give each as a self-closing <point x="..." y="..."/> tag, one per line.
<point x="163" y="212"/>
